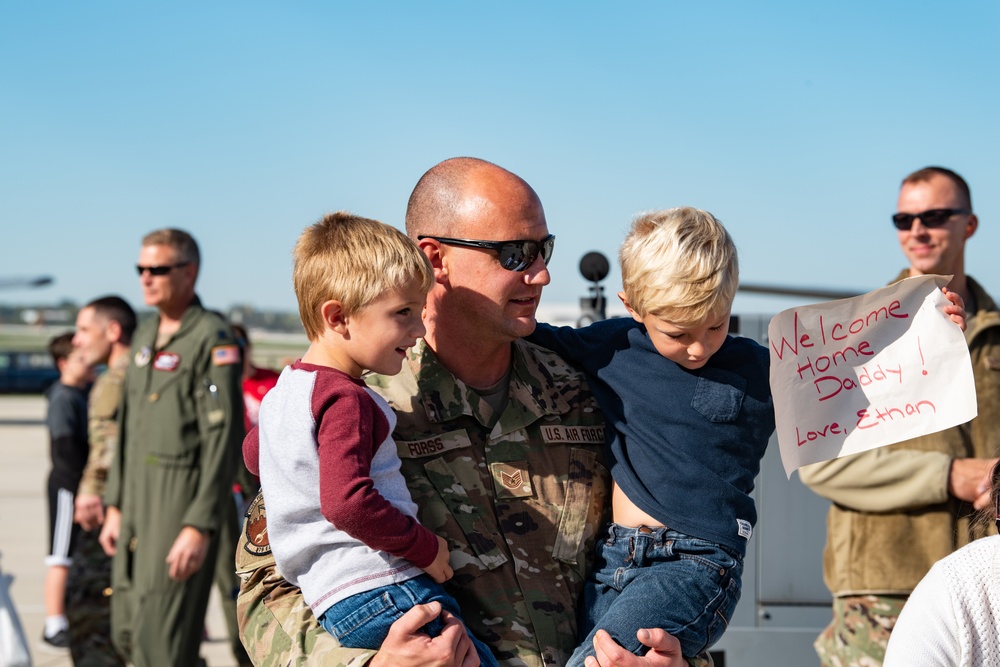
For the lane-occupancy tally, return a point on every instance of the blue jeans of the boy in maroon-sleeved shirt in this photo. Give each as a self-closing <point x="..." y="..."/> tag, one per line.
<point x="363" y="620"/>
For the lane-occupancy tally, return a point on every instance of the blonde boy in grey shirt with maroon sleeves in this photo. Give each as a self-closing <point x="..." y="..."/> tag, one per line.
<point x="341" y="523"/>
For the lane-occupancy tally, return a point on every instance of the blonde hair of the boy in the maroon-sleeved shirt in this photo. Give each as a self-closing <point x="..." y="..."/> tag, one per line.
<point x="353" y="260"/>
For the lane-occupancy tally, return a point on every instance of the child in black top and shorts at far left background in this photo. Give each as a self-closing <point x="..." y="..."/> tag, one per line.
<point x="67" y="422"/>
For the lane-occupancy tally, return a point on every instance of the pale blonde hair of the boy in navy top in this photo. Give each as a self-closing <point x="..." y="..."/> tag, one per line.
<point x="679" y="264"/>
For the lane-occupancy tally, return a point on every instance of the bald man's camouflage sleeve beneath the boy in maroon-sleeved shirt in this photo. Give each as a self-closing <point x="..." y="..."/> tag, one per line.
<point x="276" y="625"/>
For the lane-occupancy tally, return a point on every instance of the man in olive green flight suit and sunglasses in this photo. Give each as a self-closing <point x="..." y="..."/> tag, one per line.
<point x="181" y="423"/>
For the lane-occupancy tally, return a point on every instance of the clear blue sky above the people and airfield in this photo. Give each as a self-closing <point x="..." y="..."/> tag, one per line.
<point x="244" y="122"/>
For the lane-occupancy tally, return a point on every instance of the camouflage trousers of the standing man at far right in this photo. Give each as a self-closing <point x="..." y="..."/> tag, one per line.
<point x="859" y="631"/>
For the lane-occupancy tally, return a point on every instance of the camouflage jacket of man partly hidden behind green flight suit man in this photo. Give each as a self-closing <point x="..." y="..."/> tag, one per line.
<point x="102" y="427"/>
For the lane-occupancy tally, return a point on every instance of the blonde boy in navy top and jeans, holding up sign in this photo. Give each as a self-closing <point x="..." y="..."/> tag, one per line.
<point x="689" y="412"/>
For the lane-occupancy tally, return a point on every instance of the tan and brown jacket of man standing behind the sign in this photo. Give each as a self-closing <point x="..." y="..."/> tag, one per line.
<point x="892" y="517"/>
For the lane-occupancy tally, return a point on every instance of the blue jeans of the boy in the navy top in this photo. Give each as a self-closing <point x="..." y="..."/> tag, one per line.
<point x="658" y="578"/>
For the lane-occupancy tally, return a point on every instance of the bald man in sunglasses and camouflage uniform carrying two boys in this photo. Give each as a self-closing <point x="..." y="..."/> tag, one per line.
<point x="501" y="446"/>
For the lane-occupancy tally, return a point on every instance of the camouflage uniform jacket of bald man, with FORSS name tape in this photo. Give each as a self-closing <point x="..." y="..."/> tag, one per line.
<point x="520" y="503"/>
